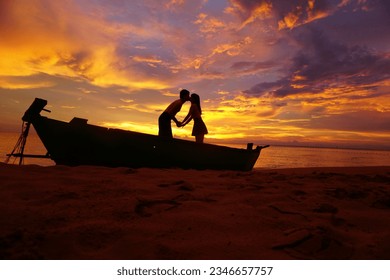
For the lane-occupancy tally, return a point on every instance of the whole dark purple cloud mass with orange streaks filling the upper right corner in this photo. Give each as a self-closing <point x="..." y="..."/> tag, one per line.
<point x="323" y="59"/>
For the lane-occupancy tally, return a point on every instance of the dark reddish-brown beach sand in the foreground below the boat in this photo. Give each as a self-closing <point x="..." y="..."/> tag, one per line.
<point x="86" y="212"/>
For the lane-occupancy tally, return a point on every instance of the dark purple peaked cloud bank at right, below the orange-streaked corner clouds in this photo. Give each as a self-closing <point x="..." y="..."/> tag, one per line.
<point x="323" y="64"/>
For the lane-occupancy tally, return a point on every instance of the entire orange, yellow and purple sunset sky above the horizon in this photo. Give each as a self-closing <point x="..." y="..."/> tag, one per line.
<point x="307" y="72"/>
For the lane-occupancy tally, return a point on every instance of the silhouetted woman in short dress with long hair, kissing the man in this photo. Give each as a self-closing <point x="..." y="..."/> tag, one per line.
<point x="199" y="129"/>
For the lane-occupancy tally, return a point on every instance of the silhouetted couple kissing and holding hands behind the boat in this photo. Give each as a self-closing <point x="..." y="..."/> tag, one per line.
<point x="195" y="112"/>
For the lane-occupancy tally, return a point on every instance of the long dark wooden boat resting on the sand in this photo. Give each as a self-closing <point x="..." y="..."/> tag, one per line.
<point x="79" y="143"/>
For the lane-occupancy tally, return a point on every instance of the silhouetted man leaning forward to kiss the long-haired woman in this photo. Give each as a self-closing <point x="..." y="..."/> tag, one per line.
<point x="164" y="121"/>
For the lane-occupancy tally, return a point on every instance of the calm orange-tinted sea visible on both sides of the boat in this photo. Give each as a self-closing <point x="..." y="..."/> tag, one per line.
<point x="272" y="157"/>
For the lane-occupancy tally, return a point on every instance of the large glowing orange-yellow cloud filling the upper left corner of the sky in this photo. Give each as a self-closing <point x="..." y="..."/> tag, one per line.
<point x="46" y="38"/>
